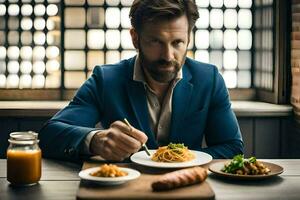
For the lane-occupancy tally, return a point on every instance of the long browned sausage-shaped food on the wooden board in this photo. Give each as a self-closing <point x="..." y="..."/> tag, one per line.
<point x="180" y="178"/>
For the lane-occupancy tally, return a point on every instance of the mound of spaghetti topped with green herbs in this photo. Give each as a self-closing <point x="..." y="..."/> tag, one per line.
<point x="173" y="153"/>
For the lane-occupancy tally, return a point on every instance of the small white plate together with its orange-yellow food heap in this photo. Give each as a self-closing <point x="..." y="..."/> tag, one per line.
<point x="109" y="174"/>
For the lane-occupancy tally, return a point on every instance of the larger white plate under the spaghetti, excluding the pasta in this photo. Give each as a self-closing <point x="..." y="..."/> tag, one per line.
<point x="143" y="159"/>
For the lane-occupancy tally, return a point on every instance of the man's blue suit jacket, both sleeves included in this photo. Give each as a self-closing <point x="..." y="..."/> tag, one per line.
<point x="200" y="108"/>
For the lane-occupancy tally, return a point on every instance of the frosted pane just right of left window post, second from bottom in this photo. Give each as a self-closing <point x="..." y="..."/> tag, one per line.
<point x="74" y="60"/>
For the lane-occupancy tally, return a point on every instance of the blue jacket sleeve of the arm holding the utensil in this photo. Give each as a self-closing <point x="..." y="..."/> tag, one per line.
<point x="62" y="137"/>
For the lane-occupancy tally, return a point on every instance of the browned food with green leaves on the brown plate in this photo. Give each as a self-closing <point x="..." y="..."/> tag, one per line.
<point x="242" y="166"/>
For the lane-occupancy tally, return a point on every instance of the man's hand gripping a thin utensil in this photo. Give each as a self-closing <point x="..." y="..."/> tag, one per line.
<point x="118" y="142"/>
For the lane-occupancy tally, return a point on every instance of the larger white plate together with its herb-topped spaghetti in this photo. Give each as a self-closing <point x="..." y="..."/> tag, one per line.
<point x="171" y="156"/>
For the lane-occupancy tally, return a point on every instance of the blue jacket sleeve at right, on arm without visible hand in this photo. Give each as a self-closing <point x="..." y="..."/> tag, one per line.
<point x="222" y="134"/>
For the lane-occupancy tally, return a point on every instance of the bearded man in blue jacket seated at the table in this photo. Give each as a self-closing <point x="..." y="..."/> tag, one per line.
<point x="165" y="96"/>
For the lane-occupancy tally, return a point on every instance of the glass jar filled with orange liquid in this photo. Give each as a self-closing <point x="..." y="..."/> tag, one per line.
<point x="23" y="158"/>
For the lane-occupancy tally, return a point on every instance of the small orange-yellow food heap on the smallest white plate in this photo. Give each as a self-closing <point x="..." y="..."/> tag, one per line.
<point x="109" y="170"/>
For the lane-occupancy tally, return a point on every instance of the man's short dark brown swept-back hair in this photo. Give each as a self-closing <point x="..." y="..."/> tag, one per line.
<point x="143" y="11"/>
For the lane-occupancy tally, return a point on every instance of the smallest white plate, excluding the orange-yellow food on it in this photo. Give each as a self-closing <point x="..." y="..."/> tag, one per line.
<point x="131" y="174"/>
